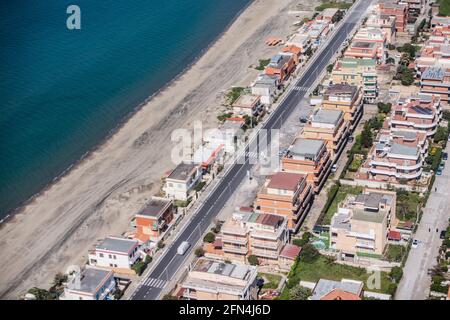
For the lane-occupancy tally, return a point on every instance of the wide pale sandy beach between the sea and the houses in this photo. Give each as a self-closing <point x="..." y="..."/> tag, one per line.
<point x="99" y="196"/>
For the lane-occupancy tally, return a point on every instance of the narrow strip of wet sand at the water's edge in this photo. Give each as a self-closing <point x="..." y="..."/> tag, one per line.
<point x="9" y="215"/>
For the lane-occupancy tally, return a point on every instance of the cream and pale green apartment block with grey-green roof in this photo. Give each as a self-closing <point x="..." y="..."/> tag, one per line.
<point x="357" y="72"/>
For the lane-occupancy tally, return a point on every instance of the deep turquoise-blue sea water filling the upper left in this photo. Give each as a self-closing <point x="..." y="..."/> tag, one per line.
<point x="62" y="91"/>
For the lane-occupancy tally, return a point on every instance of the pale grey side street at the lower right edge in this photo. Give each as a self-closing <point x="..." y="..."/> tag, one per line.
<point x="416" y="282"/>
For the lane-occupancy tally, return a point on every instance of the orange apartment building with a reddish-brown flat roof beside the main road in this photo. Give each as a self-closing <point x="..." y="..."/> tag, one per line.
<point x="288" y="194"/>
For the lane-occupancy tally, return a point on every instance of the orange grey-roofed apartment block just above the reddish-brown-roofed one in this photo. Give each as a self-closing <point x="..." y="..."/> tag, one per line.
<point x="309" y="157"/>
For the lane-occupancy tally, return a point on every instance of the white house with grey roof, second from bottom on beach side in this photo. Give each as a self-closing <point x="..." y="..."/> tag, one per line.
<point x="115" y="253"/>
